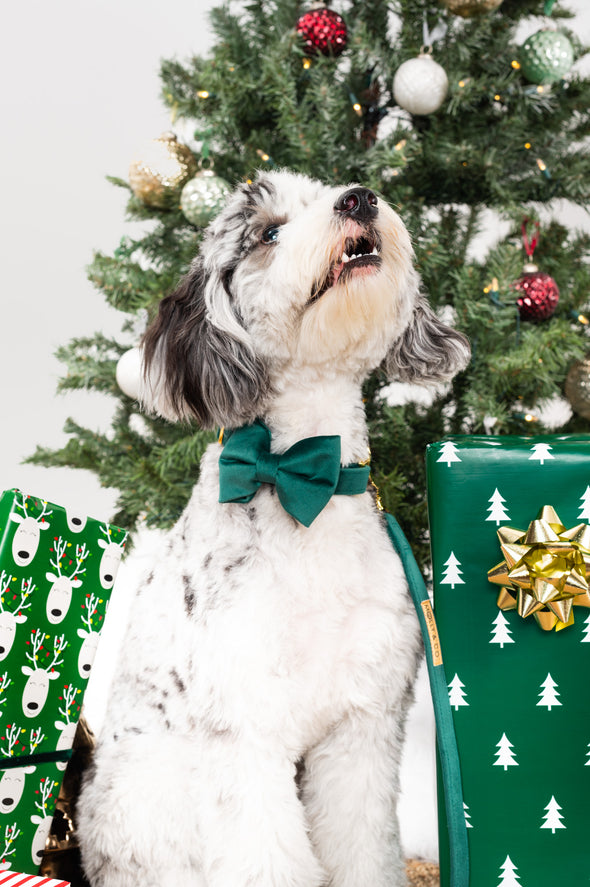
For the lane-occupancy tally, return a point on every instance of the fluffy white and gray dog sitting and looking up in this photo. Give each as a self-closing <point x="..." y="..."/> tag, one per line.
<point x="260" y="647"/>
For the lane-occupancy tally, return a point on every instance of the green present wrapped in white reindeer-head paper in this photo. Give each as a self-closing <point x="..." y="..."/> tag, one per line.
<point x="57" y="571"/>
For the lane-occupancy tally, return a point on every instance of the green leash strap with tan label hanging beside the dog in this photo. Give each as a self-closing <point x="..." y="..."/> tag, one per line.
<point x="445" y="731"/>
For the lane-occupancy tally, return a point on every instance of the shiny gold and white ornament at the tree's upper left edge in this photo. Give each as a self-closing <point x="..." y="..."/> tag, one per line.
<point x="165" y="165"/>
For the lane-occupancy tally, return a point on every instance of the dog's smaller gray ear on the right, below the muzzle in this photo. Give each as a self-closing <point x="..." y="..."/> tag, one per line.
<point x="428" y="350"/>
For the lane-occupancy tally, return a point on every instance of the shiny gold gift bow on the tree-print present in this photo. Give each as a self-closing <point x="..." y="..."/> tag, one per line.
<point x="544" y="571"/>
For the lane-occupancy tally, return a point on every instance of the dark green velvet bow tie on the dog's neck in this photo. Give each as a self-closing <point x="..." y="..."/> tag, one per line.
<point x="306" y="476"/>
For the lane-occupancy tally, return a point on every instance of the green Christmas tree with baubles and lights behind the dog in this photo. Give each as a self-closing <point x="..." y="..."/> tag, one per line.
<point x="289" y="86"/>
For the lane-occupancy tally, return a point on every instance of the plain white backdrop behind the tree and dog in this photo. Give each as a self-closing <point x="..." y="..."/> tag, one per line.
<point x="80" y="96"/>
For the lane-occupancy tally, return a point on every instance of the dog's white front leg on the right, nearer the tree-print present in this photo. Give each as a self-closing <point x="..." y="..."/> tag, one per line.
<point x="350" y="790"/>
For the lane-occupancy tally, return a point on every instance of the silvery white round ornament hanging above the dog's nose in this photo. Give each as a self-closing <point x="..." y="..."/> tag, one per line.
<point x="420" y="85"/>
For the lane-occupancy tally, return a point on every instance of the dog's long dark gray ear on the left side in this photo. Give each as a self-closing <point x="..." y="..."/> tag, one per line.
<point x="193" y="369"/>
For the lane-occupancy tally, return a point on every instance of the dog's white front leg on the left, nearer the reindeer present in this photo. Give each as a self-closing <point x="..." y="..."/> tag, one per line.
<point x="253" y="822"/>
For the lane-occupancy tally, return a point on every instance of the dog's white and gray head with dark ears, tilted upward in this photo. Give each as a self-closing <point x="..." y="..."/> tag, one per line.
<point x="293" y="276"/>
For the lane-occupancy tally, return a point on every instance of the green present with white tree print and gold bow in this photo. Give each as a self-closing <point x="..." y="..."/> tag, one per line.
<point x="510" y="535"/>
